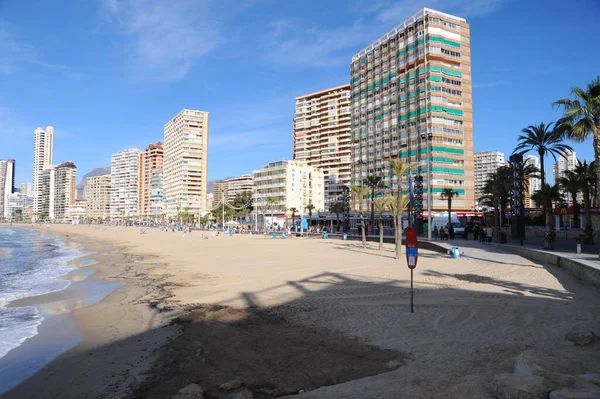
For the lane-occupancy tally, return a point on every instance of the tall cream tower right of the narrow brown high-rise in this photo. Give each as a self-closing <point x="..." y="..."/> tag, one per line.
<point x="186" y="161"/>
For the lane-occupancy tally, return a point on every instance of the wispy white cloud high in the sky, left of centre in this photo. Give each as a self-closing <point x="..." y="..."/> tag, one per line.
<point x="164" y="38"/>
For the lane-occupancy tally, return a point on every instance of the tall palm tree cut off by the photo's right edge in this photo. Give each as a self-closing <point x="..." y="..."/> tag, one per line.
<point x="582" y="119"/>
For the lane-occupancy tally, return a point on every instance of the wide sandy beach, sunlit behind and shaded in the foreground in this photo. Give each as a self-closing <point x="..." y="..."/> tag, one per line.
<point x="325" y="317"/>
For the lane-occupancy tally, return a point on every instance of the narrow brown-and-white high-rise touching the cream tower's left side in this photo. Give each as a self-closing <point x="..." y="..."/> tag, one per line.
<point x="151" y="162"/>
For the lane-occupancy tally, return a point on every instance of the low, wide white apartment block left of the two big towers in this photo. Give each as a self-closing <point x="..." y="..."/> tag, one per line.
<point x="291" y="184"/>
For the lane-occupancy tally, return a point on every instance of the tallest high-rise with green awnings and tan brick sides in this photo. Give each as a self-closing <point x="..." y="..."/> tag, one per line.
<point x="411" y="95"/>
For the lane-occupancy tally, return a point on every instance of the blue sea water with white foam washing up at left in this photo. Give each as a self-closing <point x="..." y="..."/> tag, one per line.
<point x="30" y="263"/>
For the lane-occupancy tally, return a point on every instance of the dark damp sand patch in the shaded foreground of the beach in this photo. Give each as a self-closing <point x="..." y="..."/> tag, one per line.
<point x="269" y="355"/>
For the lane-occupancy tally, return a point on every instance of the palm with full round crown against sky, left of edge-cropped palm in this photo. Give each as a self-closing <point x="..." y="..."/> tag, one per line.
<point x="545" y="140"/>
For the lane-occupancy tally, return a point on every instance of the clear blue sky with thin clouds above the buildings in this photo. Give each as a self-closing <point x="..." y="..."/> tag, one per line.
<point x="108" y="74"/>
